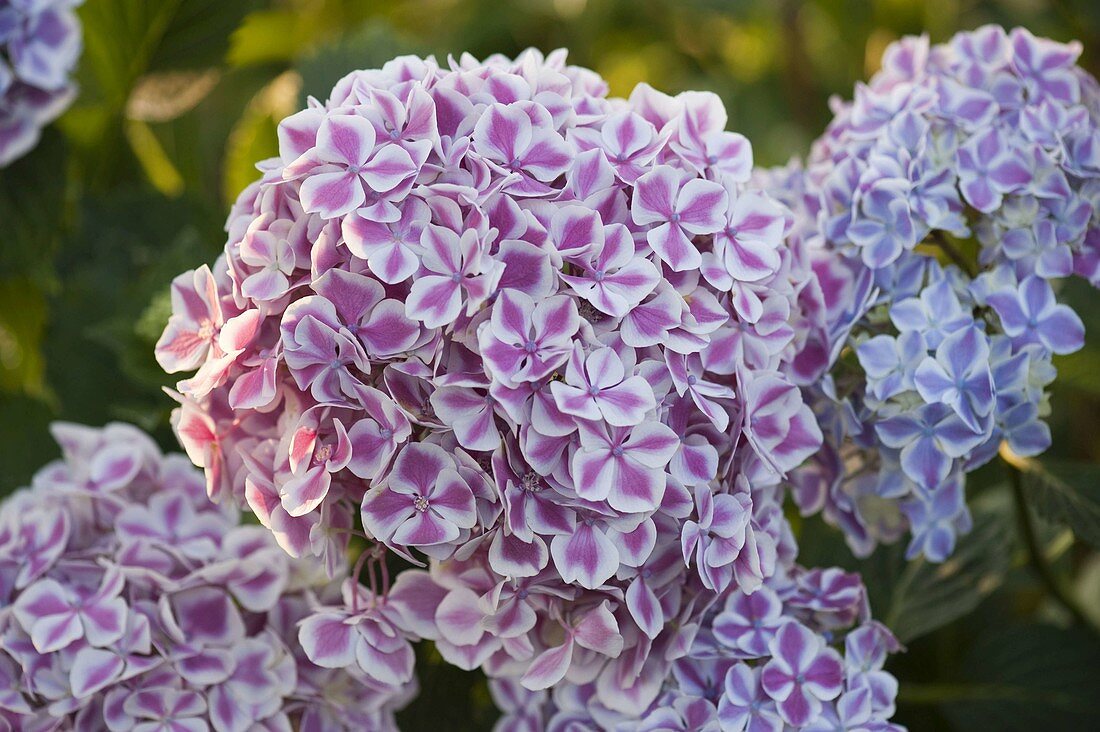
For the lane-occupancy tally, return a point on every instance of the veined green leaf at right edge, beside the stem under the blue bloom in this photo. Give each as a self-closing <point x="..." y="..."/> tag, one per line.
<point x="1068" y="494"/>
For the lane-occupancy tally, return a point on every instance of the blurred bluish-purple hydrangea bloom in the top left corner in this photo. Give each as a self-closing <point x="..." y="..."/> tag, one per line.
<point x="40" y="42"/>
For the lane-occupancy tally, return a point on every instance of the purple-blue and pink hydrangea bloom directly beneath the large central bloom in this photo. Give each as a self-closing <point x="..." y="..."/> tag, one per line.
<point x="798" y="653"/>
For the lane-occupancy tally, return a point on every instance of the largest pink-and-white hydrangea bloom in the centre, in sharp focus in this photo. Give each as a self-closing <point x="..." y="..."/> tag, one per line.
<point x="546" y="343"/>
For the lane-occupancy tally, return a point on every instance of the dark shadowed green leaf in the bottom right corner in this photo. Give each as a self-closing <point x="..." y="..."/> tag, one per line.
<point x="1030" y="678"/>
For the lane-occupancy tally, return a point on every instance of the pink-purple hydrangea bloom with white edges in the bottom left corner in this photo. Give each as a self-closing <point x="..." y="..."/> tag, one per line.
<point x="130" y="602"/>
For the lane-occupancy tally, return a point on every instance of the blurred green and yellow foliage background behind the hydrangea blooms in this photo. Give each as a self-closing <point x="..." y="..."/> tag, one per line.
<point x="180" y="99"/>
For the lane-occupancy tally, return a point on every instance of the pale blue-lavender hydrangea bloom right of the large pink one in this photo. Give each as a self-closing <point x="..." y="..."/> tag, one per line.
<point x="986" y="152"/>
